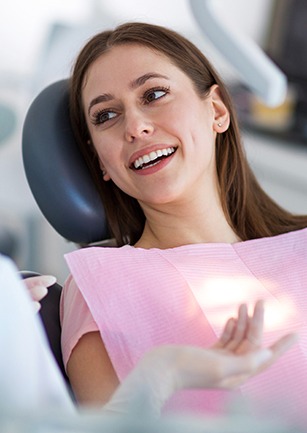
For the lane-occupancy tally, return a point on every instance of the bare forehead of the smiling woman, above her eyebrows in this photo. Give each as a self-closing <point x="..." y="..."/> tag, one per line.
<point x="124" y="63"/>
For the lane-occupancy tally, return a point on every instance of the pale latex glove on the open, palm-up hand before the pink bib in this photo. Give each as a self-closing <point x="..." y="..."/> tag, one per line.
<point x="237" y="356"/>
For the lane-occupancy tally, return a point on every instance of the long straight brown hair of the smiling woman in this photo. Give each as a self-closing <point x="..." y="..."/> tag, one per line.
<point x="248" y="209"/>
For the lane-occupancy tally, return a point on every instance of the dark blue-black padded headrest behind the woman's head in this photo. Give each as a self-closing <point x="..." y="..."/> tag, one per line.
<point x="56" y="171"/>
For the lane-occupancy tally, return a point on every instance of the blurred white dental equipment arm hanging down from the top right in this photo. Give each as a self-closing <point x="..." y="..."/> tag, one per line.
<point x="255" y="68"/>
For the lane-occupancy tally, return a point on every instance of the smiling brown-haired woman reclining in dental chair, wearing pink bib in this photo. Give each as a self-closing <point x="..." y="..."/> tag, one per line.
<point x="158" y="130"/>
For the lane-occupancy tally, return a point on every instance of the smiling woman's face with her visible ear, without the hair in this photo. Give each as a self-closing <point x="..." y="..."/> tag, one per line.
<point x="152" y="132"/>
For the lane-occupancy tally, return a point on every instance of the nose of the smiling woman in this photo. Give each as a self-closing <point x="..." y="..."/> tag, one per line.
<point x="137" y="125"/>
